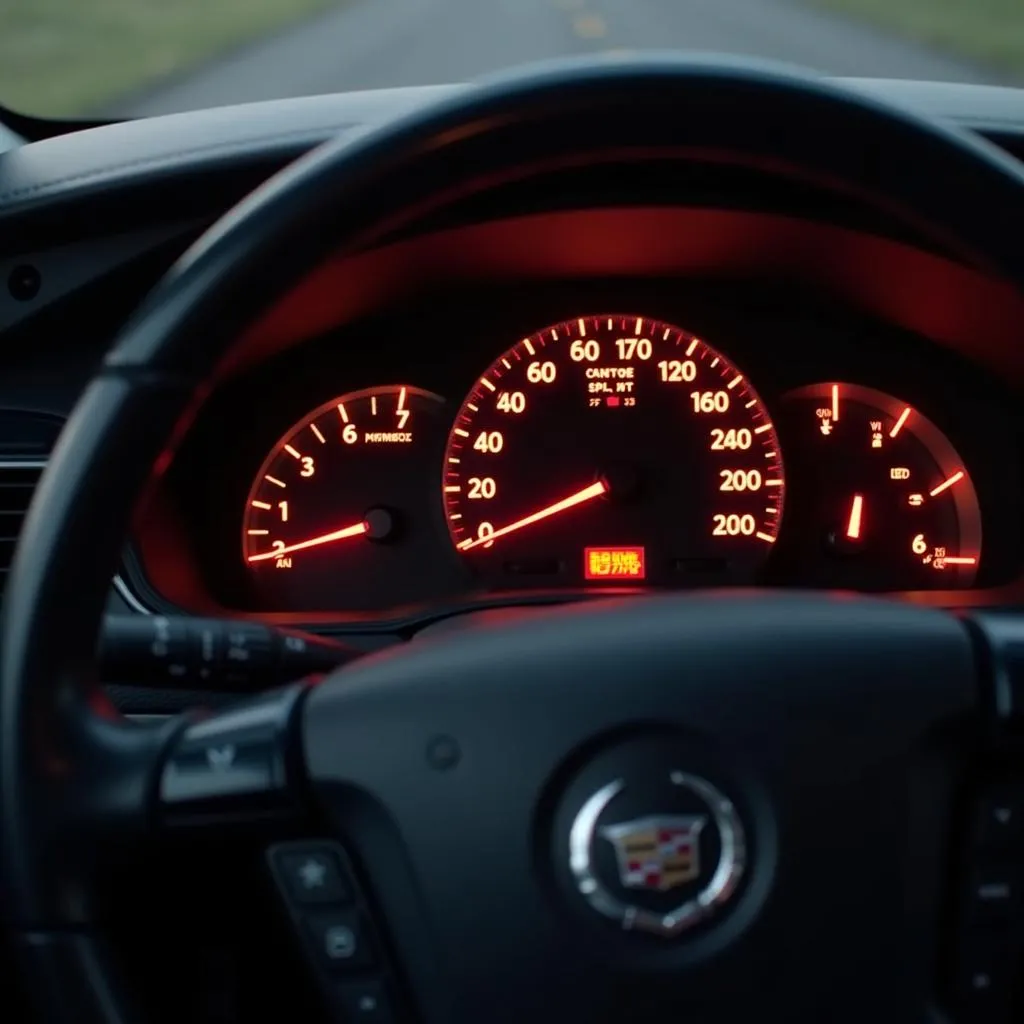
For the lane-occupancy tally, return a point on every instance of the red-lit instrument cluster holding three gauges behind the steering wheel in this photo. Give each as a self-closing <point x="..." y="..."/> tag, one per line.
<point x="424" y="461"/>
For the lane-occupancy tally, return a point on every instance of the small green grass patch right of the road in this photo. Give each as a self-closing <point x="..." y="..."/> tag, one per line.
<point x="989" y="32"/>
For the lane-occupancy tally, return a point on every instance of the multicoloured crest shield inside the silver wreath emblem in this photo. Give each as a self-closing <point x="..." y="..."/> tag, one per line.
<point x="658" y="852"/>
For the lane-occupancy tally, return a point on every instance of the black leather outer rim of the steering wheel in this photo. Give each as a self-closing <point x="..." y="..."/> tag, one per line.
<point x="70" y="770"/>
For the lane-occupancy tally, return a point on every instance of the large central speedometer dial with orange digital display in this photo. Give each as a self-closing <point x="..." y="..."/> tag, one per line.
<point x="614" y="450"/>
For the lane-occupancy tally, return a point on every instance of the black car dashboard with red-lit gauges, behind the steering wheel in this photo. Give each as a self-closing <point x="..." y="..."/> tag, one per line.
<point x="593" y="385"/>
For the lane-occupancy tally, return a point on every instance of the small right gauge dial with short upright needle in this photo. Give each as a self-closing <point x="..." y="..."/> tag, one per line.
<point x="881" y="499"/>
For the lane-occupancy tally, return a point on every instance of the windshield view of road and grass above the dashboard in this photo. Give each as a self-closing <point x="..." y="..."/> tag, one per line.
<point x="123" y="58"/>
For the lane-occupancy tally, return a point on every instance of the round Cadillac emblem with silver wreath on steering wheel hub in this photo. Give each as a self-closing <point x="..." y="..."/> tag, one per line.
<point x="658" y="856"/>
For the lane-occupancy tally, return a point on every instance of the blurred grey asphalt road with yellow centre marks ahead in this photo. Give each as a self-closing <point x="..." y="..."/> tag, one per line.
<point x="367" y="45"/>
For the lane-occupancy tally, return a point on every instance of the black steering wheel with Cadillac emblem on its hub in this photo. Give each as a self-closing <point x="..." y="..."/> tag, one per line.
<point x="705" y="807"/>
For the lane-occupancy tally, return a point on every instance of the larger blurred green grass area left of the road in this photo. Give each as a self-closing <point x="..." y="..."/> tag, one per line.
<point x="66" y="58"/>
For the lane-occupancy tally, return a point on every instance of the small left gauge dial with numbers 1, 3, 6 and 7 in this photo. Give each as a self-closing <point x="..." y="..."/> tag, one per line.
<point x="336" y="505"/>
